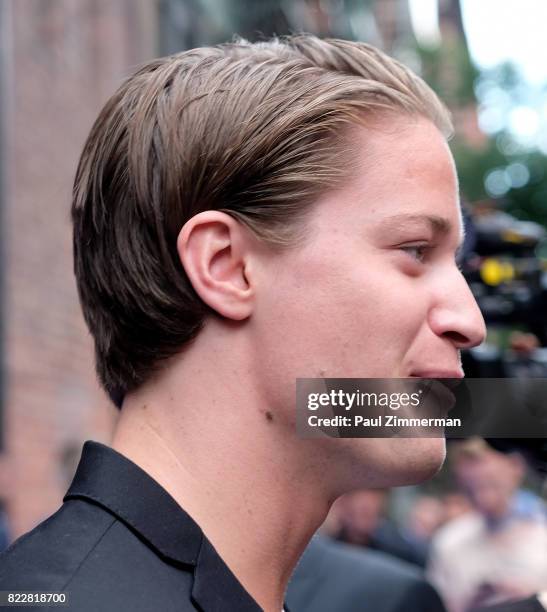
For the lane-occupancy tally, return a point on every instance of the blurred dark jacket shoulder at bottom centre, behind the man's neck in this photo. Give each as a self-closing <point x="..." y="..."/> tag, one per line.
<point x="336" y="577"/>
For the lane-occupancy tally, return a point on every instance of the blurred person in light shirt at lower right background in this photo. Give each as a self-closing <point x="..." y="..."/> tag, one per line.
<point x="499" y="551"/>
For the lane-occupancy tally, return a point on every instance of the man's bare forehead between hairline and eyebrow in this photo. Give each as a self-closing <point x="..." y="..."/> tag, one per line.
<point x="401" y="166"/>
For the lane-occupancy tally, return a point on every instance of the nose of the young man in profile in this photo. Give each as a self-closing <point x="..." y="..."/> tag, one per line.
<point x="456" y="314"/>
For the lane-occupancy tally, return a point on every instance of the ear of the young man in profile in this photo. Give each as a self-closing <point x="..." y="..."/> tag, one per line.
<point x="215" y="251"/>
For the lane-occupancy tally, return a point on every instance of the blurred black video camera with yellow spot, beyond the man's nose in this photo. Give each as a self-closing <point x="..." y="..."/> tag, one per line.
<point x="505" y="263"/>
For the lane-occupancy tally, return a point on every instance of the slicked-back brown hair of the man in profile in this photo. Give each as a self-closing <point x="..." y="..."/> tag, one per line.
<point x="258" y="131"/>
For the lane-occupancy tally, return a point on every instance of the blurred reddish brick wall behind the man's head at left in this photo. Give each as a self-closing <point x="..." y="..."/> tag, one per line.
<point x="65" y="58"/>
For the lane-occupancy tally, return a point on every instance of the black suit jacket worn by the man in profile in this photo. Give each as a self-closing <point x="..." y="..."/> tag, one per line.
<point x="121" y="543"/>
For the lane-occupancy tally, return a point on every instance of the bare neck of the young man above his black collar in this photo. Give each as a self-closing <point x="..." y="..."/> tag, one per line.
<point x="234" y="469"/>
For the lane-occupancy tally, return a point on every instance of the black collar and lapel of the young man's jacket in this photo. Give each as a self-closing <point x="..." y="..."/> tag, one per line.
<point x="110" y="480"/>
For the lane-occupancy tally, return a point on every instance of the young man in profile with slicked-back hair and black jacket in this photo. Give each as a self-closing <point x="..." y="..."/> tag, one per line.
<point x="245" y="215"/>
